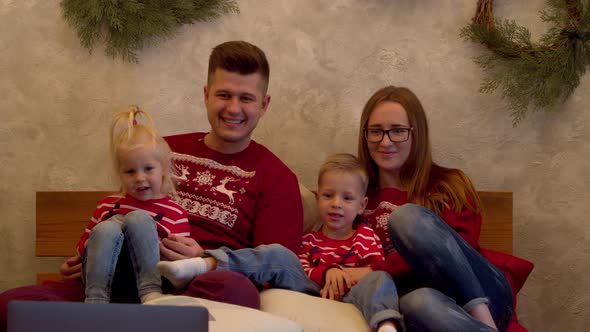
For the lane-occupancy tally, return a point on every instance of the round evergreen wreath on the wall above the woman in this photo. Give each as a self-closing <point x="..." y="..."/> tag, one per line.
<point x="536" y="76"/>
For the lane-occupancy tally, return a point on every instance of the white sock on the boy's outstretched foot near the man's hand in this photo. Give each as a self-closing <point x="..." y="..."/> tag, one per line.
<point x="182" y="271"/>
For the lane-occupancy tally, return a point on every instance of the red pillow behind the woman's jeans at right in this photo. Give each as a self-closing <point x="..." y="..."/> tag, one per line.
<point x="516" y="269"/>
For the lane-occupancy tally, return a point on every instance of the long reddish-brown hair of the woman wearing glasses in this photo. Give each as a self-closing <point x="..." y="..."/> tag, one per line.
<point x="427" y="183"/>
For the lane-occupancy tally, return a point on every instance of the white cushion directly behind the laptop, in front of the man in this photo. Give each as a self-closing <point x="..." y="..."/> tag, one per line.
<point x="228" y="317"/>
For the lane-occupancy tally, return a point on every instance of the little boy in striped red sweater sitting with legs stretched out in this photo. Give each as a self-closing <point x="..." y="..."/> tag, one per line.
<point x="341" y="242"/>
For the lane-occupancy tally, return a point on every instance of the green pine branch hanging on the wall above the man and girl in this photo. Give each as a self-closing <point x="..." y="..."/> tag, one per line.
<point x="126" y="26"/>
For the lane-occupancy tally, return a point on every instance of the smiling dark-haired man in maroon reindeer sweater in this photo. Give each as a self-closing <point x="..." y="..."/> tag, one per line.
<point x="236" y="192"/>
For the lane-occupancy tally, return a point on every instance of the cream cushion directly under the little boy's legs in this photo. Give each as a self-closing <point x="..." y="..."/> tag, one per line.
<point x="313" y="313"/>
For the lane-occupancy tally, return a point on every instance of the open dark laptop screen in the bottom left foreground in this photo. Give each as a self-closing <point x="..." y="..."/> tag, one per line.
<point x="33" y="316"/>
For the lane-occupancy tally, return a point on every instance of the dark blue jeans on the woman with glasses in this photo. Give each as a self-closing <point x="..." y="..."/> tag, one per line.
<point x="454" y="276"/>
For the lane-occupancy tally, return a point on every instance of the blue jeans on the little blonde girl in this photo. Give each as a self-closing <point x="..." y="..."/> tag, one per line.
<point x="138" y="230"/>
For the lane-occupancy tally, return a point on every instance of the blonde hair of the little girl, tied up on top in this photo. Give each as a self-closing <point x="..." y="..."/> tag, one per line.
<point x="135" y="128"/>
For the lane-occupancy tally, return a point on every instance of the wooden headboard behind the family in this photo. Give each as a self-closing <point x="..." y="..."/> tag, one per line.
<point x="61" y="217"/>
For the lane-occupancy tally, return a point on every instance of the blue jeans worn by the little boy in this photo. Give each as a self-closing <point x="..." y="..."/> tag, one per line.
<point x="375" y="295"/>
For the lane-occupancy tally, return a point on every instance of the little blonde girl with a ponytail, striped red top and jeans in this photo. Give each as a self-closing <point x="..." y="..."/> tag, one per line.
<point x="135" y="217"/>
